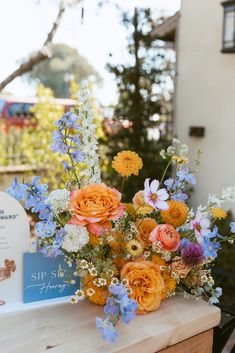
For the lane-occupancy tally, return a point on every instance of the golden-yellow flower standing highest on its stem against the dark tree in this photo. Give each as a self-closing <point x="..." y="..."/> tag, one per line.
<point x="127" y="163"/>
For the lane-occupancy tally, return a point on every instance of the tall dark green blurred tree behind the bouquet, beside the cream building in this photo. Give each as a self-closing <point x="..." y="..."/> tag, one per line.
<point x="145" y="86"/>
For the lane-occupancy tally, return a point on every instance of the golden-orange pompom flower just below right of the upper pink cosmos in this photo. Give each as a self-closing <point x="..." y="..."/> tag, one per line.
<point x="176" y="214"/>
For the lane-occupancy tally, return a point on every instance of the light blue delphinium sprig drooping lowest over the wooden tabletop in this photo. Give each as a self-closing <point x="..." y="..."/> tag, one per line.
<point x="118" y="305"/>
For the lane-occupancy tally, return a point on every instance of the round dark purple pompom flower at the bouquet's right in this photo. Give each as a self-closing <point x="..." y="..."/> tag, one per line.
<point x="192" y="254"/>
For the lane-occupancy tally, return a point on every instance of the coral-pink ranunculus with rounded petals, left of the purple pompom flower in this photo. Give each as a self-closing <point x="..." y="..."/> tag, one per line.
<point x="167" y="236"/>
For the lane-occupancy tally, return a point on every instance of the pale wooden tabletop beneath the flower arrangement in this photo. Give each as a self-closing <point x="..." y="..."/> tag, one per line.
<point x="182" y="325"/>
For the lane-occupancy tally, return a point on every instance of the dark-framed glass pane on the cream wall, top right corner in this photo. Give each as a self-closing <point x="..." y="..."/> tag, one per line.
<point x="229" y="27"/>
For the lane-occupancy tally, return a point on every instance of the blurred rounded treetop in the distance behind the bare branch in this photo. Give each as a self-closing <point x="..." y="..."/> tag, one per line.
<point x="57" y="71"/>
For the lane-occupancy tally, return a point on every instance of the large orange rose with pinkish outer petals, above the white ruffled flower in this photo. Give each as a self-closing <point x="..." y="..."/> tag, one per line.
<point x="94" y="206"/>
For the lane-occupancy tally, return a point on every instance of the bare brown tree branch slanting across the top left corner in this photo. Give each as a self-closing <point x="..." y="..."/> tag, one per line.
<point x="42" y="54"/>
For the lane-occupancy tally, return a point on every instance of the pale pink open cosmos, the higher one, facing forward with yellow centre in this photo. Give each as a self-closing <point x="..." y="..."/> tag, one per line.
<point x="154" y="197"/>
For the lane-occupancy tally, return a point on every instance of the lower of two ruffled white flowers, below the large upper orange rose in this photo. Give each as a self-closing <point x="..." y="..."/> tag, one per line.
<point x="75" y="239"/>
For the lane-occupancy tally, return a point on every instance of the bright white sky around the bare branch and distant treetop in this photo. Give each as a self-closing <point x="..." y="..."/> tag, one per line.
<point x="24" y="25"/>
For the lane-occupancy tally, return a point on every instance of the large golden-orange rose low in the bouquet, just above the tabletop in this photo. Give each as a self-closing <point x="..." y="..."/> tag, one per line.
<point x="146" y="284"/>
